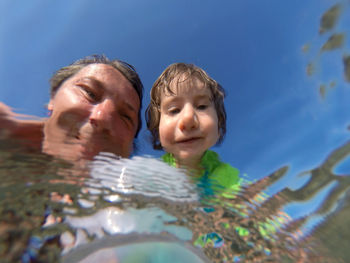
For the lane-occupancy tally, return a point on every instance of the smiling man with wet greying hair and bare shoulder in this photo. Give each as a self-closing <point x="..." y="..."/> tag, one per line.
<point x="94" y="107"/>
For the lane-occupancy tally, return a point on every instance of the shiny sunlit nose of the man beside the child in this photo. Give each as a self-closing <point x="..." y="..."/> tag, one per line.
<point x="101" y="117"/>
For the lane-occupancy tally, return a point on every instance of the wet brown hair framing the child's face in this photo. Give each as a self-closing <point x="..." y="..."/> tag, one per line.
<point x="162" y="85"/>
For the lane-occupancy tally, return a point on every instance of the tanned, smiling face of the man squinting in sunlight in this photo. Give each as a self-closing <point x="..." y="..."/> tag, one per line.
<point x="96" y="110"/>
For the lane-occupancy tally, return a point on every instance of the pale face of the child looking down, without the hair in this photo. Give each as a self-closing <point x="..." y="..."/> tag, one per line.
<point x="188" y="121"/>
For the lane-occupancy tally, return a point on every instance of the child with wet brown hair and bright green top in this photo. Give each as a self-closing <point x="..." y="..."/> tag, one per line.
<point x="186" y="117"/>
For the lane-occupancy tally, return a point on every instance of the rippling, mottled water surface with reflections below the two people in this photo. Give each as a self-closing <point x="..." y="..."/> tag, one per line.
<point x="49" y="207"/>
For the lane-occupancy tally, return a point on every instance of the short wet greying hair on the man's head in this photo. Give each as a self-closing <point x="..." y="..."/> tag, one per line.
<point x="126" y="69"/>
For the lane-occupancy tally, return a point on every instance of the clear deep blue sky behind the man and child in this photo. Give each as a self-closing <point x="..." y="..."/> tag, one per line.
<point x="276" y="115"/>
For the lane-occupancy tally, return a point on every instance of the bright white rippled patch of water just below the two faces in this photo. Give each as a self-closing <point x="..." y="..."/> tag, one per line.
<point x="141" y="175"/>
